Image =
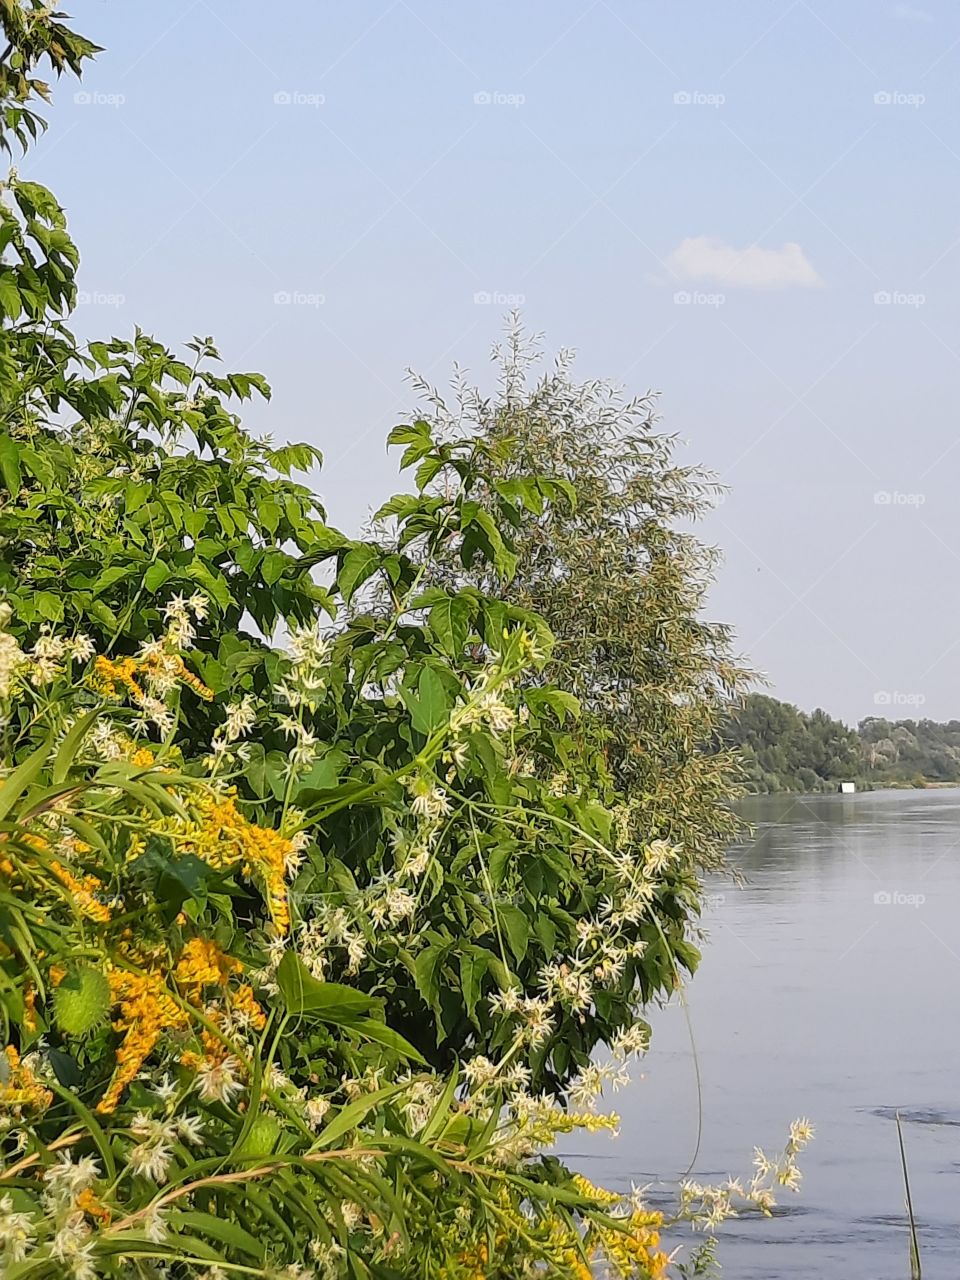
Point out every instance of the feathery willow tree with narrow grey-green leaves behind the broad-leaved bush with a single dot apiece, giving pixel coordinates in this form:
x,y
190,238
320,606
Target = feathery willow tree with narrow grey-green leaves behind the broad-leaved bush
x,y
621,580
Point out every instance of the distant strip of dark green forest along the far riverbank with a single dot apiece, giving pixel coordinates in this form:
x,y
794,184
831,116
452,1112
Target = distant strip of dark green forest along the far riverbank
x,y
785,749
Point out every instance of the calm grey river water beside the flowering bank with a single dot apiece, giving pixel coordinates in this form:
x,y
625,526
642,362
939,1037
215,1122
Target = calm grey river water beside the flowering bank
x,y
830,988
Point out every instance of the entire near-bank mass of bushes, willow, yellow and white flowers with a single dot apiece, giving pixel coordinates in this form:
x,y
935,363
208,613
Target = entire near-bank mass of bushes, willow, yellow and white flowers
x,y
333,888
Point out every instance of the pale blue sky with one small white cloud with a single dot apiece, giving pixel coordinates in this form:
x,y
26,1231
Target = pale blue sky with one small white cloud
x,y
747,205
